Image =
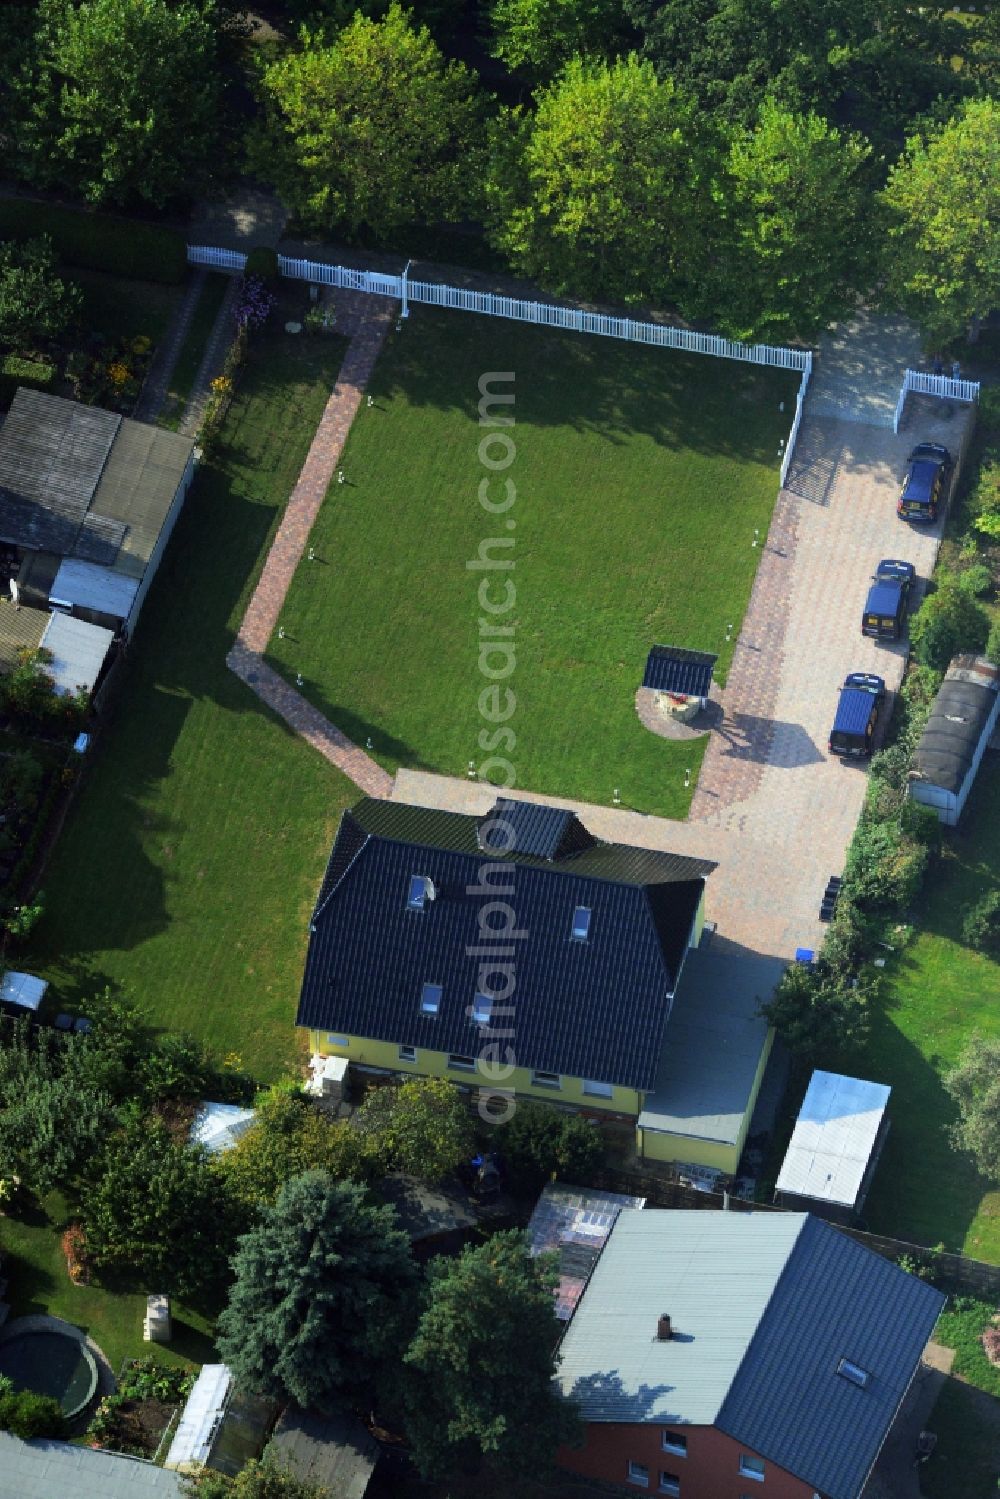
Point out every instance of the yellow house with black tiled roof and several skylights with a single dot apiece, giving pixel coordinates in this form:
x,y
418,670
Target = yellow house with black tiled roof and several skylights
x,y
515,954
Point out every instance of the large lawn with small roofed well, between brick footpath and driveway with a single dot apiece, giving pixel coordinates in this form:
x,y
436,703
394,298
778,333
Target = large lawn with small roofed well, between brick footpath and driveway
x,y
641,476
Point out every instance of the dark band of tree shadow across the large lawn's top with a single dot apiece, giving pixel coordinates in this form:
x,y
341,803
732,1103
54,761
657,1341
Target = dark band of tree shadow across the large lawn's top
x,y
606,387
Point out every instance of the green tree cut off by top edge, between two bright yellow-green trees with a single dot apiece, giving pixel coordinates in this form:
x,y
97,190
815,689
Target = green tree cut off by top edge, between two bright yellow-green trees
x,y
537,38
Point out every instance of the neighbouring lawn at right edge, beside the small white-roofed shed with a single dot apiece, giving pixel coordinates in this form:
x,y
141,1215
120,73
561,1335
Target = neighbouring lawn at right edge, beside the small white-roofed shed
x,y
941,993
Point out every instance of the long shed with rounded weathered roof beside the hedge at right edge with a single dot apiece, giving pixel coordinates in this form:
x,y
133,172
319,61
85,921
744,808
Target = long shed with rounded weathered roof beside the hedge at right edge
x,y
956,737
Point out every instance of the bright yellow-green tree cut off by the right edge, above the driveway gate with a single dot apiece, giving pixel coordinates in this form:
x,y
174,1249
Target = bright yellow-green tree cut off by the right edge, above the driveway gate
x,y
944,239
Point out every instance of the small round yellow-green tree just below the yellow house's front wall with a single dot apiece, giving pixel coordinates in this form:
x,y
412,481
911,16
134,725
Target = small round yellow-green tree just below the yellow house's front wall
x,y
422,1128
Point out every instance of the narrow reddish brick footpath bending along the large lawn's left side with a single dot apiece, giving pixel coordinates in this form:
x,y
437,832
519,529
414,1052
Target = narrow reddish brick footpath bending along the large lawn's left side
x,y
367,320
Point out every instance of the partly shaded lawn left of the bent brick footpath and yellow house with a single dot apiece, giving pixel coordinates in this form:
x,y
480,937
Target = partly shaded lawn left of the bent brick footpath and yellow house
x,y
194,852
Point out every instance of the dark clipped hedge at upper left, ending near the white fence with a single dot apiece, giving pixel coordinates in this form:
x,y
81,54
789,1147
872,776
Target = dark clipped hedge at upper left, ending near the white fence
x,y
97,242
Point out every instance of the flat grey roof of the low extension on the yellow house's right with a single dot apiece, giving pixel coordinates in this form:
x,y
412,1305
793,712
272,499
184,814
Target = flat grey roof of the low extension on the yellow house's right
x,y
716,1040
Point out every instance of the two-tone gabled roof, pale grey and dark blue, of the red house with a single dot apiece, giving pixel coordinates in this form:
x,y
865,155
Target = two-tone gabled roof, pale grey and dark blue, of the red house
x,y
764,1308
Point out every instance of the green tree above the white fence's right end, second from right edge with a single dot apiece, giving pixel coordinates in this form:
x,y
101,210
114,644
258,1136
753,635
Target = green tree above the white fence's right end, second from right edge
x,y
794,244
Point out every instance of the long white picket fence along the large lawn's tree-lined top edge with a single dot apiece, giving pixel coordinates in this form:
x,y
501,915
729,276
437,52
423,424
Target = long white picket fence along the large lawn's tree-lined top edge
x,y
518,310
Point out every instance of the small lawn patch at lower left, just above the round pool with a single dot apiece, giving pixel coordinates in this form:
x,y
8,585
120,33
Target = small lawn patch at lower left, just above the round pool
x,y
37,1270
